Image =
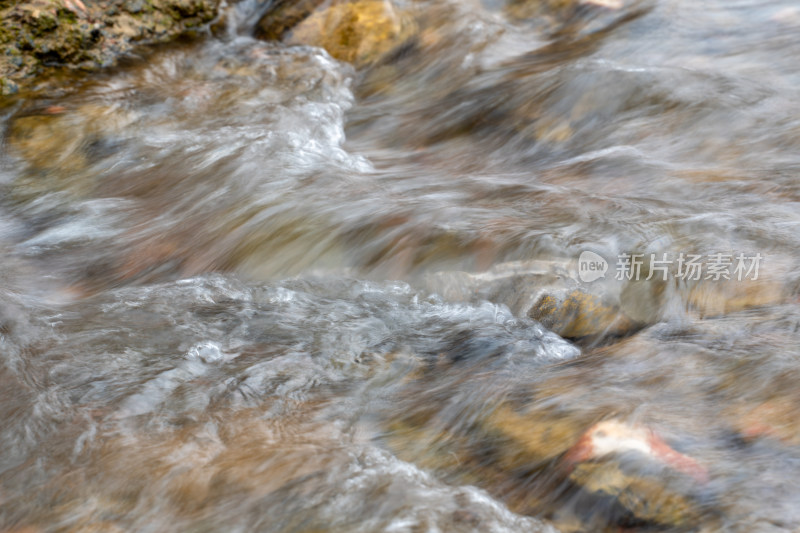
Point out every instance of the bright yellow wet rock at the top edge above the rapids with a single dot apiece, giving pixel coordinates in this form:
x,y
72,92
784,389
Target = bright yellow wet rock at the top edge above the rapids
x,y
361,33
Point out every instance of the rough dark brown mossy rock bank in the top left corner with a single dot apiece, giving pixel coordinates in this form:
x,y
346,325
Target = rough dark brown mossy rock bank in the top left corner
x,y
40,35
